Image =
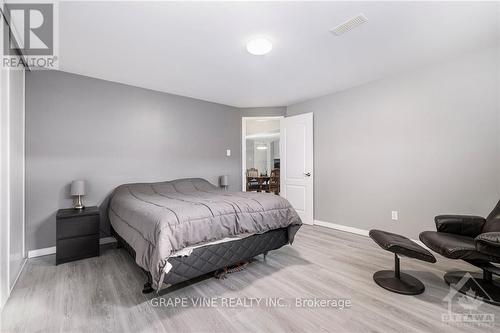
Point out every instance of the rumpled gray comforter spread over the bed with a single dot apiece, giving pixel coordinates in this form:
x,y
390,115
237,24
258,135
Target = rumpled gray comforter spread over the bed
x,y
158,219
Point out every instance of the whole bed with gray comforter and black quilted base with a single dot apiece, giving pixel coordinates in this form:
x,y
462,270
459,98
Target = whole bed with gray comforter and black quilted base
x,y
181,229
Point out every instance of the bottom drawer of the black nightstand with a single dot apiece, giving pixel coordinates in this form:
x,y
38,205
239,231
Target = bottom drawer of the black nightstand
x,y
77,248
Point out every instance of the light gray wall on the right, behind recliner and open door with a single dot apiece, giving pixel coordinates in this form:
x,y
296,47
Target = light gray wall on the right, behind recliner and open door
x,y
423,143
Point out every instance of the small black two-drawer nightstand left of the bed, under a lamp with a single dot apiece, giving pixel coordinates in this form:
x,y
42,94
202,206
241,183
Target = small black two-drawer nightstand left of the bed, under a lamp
x,y
77,233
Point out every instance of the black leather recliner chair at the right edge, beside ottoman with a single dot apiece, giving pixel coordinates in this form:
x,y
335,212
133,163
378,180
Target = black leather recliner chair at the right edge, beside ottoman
x,y
475,240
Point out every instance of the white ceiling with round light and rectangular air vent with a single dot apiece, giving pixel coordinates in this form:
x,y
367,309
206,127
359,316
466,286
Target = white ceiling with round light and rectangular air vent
x,y
198,49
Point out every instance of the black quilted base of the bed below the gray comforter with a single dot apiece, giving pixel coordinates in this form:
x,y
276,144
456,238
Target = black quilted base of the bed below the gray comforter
x,y
213,257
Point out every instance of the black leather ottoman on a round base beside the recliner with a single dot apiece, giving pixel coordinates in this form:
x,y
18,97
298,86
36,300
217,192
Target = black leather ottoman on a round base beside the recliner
x,y
396,281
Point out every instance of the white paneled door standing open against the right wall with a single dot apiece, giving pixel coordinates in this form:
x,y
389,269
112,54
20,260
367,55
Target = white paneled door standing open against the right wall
x,y
297,169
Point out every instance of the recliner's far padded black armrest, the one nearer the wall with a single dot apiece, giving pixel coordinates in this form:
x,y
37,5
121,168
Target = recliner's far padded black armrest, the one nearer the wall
x,y
460,224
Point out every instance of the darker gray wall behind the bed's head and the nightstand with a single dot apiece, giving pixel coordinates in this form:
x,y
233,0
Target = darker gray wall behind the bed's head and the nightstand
x,y
109,134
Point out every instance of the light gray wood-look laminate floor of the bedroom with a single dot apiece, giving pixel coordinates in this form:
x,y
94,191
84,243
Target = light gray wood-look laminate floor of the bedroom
x,y
104,294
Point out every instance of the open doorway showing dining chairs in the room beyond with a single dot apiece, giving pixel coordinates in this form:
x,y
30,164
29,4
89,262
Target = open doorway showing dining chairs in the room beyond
x,y
261,154
